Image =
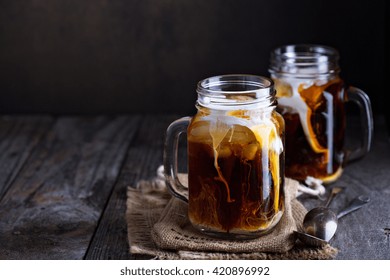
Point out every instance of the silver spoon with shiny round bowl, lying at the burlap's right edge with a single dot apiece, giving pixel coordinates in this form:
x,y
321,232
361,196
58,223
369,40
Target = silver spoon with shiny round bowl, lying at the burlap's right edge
x,y
320,224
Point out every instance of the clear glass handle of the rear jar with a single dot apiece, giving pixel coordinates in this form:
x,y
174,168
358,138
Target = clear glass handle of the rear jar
x,y
360,98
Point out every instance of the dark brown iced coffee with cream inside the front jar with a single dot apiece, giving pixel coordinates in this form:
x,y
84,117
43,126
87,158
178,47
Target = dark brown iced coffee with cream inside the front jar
x,y
234,179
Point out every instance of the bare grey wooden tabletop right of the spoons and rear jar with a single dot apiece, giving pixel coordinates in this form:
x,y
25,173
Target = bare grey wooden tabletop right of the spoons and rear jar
x,y
365,234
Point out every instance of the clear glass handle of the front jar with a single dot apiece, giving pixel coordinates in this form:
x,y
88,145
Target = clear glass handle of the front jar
x,y
173,132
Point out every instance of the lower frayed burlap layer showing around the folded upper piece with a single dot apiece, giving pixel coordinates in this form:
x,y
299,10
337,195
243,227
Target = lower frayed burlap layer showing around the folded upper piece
x,y
147,201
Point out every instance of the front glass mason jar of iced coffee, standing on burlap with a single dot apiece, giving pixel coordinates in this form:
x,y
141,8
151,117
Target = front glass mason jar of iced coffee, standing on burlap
x,y
235,157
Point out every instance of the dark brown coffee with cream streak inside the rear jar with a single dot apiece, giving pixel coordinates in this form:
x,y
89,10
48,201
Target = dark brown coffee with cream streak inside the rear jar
x,y
314,138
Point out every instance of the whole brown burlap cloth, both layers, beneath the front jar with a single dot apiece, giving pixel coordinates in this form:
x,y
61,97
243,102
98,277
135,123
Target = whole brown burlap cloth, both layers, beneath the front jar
x,y
158,226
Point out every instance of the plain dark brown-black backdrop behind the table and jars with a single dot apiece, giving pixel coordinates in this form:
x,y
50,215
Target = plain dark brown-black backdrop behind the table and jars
x,y
137,56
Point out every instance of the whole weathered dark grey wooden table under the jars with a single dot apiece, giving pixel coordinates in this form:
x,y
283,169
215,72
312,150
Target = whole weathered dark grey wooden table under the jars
x,y
63,184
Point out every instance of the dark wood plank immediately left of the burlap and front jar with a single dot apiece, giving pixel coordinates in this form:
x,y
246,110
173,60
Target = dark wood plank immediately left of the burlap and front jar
x,y
143,158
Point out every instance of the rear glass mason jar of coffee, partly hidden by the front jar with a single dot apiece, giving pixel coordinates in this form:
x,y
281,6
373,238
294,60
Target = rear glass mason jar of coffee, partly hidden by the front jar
x,y
312,97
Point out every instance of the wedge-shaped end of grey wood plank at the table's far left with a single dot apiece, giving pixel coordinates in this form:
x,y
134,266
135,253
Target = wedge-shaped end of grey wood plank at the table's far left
x,y
18,137
